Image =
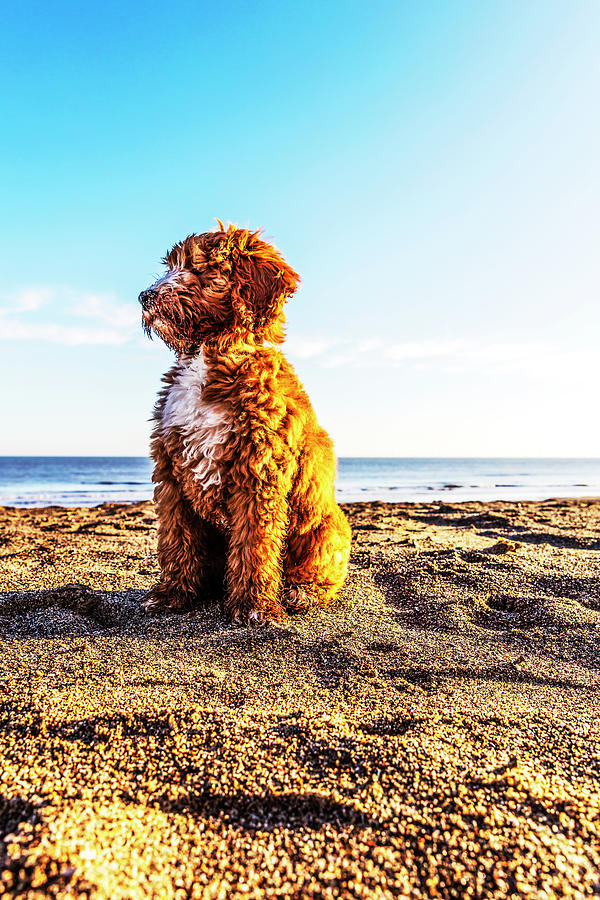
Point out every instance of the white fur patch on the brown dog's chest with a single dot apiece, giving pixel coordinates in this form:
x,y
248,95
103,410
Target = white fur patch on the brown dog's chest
x,y
204,427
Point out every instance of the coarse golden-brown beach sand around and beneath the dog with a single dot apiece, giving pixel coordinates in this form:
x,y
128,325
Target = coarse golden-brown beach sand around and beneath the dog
x,y
434,734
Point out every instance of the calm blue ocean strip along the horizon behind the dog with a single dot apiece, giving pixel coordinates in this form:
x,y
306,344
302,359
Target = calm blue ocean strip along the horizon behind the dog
x,y
85,481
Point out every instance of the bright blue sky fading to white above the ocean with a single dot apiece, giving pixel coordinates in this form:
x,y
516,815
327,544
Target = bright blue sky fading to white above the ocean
x,y
430,169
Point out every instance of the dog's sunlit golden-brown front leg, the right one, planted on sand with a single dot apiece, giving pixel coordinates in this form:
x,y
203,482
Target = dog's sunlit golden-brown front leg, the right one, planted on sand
x,y
258,515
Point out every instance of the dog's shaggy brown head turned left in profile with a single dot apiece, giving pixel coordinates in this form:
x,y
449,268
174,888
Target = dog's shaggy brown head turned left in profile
x,y
219,284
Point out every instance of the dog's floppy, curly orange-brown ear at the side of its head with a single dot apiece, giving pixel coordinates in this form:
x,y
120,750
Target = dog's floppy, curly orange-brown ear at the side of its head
x,y
262,282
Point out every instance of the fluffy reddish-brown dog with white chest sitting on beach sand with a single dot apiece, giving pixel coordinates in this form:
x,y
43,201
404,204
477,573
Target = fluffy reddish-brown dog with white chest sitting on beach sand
x,y
244,474
